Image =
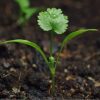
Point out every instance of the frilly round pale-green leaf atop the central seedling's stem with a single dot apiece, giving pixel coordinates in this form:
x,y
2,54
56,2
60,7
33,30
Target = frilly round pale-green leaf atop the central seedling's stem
x,y
53,20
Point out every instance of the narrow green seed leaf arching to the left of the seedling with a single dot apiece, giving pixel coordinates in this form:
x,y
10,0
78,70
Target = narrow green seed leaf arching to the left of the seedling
x,y
28,43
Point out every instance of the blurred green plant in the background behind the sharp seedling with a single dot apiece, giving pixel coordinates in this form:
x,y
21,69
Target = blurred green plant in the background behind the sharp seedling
x,y
26,11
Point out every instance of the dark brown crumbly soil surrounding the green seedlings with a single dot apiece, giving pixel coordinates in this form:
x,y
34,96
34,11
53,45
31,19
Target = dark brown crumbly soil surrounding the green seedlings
x,y
23,72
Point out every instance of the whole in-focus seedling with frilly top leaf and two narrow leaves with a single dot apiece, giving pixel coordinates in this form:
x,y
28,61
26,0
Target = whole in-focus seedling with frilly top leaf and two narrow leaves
x,y
54,21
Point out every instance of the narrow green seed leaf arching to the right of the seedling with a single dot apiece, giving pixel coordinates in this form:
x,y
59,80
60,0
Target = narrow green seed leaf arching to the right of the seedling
x,y
75,34
